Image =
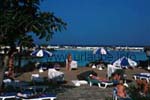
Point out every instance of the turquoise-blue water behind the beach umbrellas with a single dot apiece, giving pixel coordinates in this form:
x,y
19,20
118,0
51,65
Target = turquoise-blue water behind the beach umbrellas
x,y
83,57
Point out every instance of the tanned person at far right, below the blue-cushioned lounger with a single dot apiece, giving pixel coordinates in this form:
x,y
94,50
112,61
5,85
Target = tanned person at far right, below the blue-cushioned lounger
x,y
142,86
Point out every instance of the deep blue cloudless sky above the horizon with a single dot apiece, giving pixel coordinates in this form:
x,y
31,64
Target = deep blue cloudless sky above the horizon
x,y
101,22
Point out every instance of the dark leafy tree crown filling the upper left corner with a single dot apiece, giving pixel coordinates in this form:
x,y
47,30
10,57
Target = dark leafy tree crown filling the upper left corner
x,y
19,17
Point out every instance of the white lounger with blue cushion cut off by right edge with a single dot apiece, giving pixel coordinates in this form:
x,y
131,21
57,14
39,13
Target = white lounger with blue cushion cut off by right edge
x,y
145,76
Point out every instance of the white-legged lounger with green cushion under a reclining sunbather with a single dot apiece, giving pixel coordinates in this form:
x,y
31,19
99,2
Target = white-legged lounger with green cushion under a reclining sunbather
x,y
101,84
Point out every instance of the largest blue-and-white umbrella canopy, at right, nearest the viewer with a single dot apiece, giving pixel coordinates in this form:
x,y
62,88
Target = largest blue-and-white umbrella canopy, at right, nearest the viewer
x,y
125,62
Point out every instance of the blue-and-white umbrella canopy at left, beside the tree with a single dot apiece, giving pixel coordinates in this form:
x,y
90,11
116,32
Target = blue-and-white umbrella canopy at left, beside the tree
x,y
41,53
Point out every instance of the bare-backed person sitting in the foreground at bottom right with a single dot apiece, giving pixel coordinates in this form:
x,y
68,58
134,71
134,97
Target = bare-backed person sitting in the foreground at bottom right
x,y
121,91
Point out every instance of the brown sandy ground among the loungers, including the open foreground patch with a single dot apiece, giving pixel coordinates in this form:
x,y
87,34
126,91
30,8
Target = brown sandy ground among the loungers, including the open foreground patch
x,y
68,91
